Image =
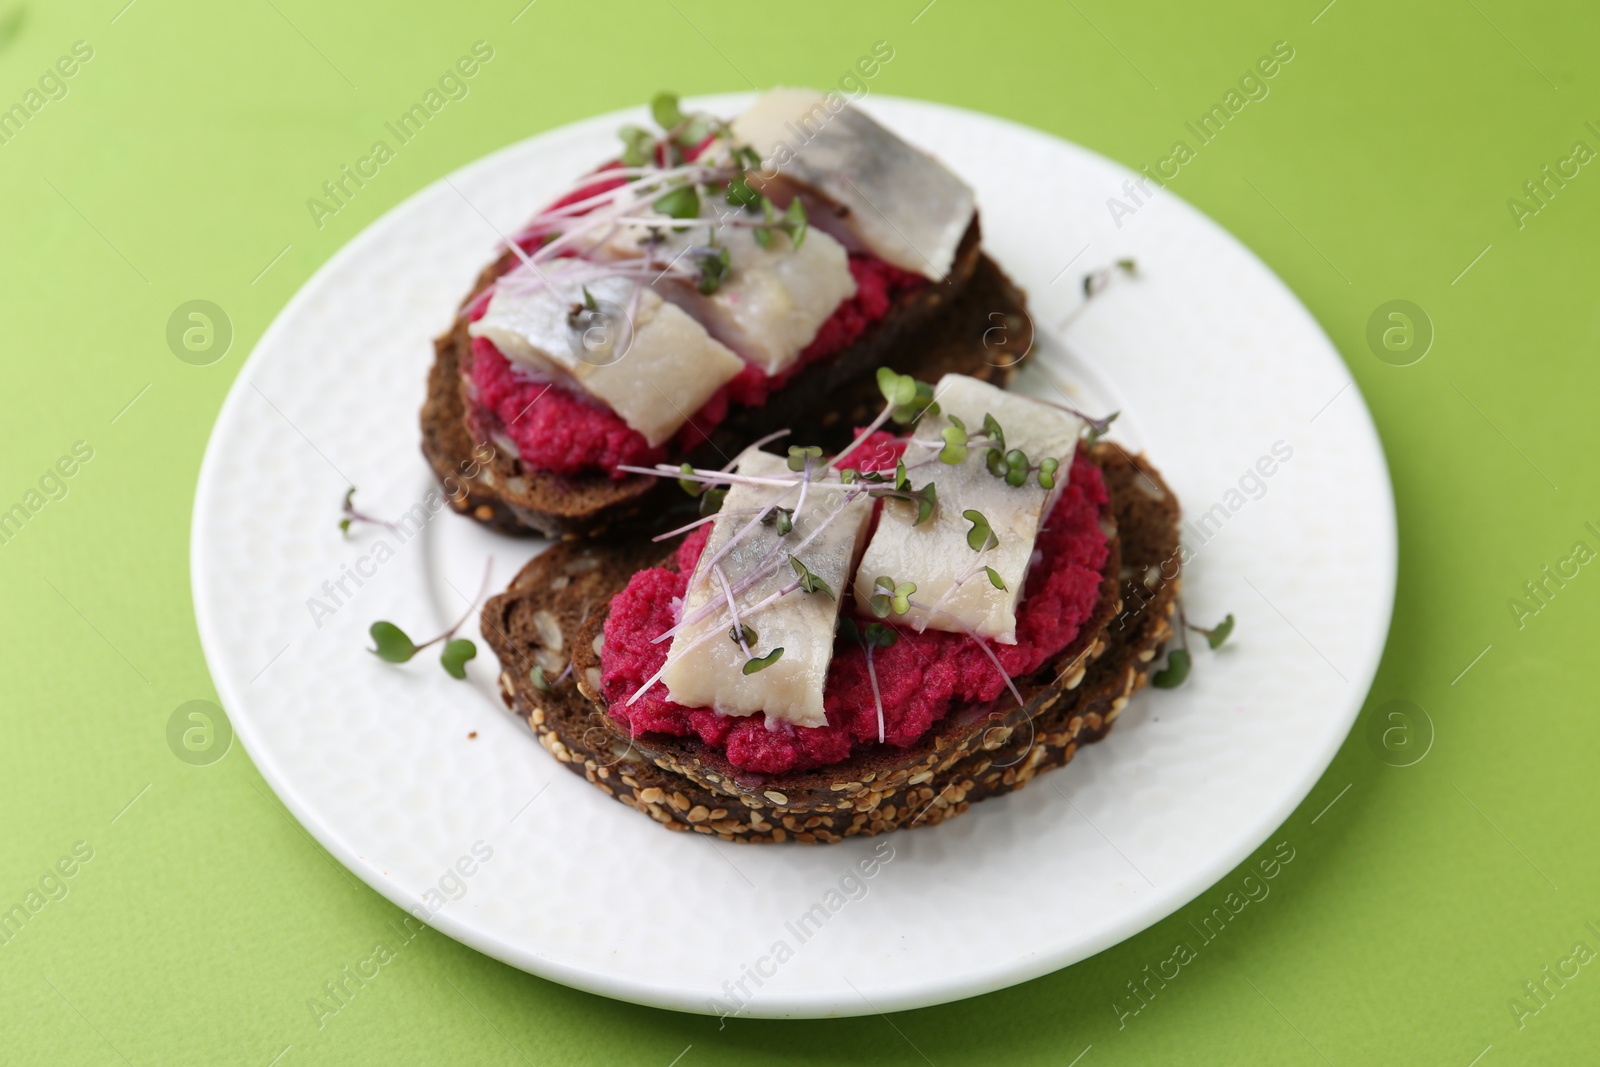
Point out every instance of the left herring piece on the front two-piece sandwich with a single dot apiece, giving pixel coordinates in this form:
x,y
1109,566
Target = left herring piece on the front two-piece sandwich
x,y
804,625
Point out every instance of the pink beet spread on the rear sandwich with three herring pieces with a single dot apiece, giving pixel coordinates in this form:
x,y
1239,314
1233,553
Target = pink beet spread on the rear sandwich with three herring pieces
x,y
569,434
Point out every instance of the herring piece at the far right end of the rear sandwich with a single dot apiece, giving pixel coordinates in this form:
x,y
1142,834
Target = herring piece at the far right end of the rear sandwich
x,y
905,206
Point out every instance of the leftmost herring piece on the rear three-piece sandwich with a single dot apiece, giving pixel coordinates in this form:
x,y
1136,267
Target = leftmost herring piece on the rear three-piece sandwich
x,y
662,380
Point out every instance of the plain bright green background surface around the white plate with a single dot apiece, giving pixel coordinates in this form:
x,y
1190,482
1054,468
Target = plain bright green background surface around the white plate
x,y
178,169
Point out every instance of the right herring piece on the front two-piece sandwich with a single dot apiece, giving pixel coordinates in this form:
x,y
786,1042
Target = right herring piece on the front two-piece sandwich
x,y
935,556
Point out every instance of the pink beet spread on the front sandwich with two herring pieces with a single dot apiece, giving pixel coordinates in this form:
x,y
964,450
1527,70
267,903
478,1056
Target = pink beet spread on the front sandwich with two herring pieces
x,y
921,677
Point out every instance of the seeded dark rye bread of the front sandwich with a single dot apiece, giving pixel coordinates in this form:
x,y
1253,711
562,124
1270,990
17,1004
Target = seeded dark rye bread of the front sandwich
x,y
556,607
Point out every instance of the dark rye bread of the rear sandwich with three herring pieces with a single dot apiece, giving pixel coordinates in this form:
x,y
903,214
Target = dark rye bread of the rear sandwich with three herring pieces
x,y
946,327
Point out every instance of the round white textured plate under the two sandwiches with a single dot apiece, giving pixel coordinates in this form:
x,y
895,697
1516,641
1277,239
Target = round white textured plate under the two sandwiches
x,y
1212,361
